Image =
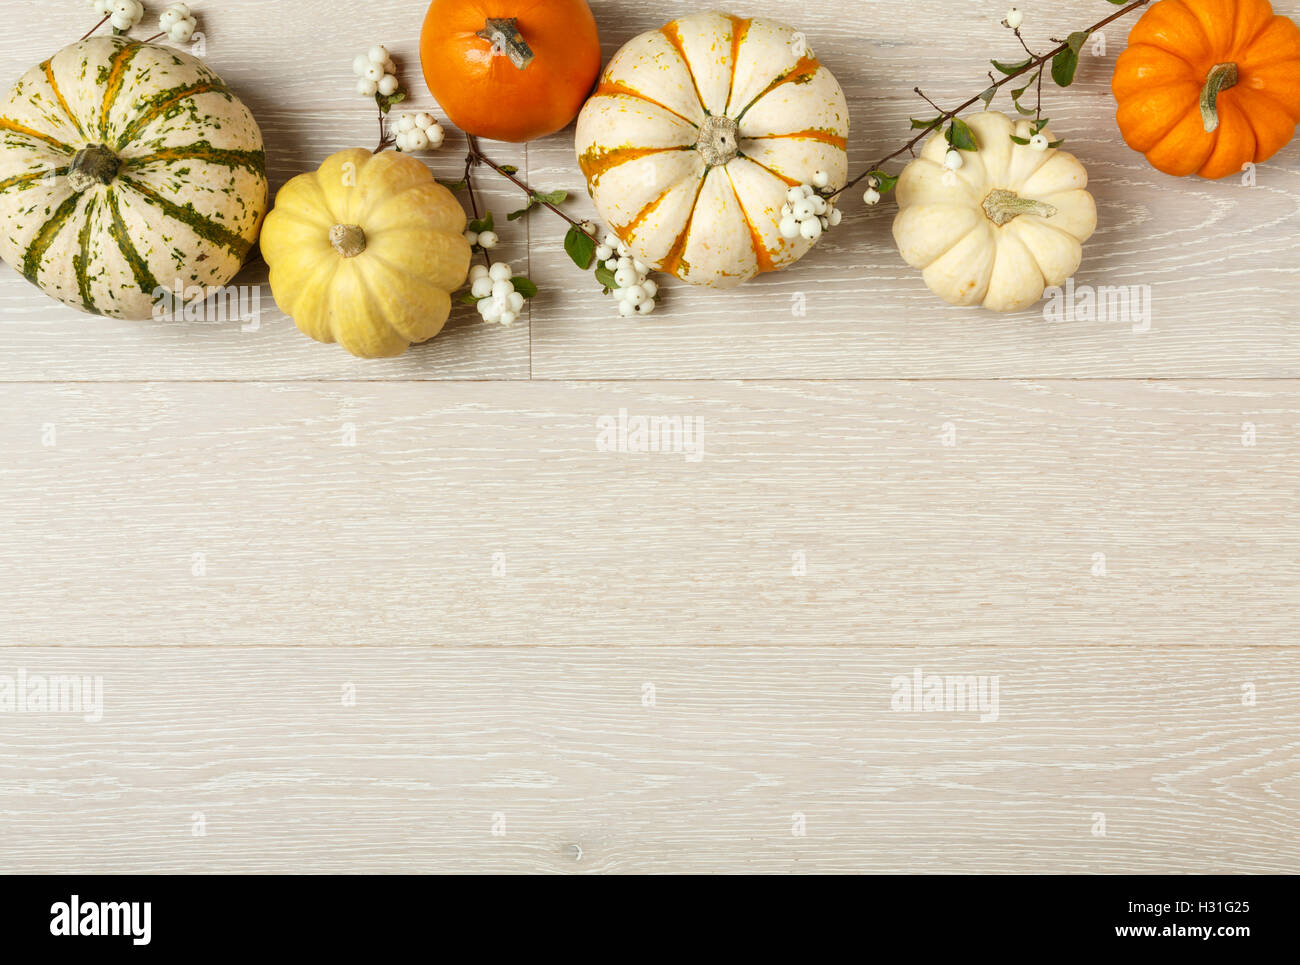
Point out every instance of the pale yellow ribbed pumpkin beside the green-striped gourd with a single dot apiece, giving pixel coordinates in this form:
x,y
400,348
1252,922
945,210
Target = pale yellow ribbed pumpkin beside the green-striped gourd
x,y
366,252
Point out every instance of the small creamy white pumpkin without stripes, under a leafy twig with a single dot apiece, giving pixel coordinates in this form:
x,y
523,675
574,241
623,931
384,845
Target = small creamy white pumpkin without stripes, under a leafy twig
x,y
1000,230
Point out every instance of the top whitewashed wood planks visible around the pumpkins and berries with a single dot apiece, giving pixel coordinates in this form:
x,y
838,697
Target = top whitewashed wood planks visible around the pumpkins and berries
x,y
1223,259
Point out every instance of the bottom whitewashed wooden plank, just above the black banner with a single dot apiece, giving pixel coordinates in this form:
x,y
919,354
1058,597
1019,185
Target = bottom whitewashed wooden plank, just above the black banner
x,y
561,752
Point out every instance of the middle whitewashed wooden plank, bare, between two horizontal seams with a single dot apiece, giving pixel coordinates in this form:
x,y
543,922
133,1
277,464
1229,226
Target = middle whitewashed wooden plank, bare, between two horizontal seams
x,y
393,540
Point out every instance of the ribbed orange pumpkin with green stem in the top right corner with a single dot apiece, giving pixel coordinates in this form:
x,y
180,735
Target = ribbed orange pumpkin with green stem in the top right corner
x,y
1207,86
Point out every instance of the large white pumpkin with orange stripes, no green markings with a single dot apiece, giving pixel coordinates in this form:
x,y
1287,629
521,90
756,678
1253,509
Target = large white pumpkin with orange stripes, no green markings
x,y
695,136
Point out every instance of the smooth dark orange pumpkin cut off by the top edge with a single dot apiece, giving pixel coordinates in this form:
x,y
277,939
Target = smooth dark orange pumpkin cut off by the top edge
x,y
510,70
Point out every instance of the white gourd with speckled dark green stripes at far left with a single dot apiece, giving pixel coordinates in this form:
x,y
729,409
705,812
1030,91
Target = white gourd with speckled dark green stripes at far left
x,y
125,170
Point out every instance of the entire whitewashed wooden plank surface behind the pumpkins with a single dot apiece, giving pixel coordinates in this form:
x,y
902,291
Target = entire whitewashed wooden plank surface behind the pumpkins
x,y
239,530
